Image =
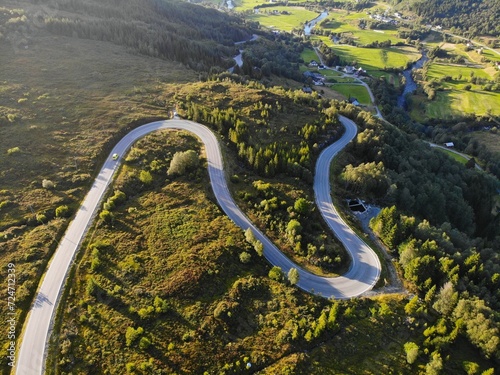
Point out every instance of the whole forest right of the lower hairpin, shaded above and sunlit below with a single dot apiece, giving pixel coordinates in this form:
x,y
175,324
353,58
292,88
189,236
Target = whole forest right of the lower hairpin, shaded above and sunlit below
x,y
441,223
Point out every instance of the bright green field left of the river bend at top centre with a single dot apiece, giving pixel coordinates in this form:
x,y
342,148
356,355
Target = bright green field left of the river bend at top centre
x,y
286,22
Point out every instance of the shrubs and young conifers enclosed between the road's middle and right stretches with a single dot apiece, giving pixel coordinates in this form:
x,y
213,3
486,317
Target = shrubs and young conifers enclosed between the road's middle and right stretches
x,y
275,135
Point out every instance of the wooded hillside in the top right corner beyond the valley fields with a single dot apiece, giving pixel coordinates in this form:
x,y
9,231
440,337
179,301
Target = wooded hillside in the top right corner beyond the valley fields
x,y
469,17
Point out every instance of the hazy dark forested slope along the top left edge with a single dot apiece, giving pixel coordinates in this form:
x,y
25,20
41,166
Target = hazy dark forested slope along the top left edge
x,y
198,37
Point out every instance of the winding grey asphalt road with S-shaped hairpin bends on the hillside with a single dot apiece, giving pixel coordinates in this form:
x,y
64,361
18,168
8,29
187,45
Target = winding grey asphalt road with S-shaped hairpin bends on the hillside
x,y
361,277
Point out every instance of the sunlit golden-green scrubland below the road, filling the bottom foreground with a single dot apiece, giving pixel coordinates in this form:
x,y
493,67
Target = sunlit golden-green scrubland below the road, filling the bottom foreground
x,y
172,273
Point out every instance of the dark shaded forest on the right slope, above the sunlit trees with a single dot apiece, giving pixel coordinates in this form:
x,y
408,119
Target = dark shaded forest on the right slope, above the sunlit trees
x,y
421,181
